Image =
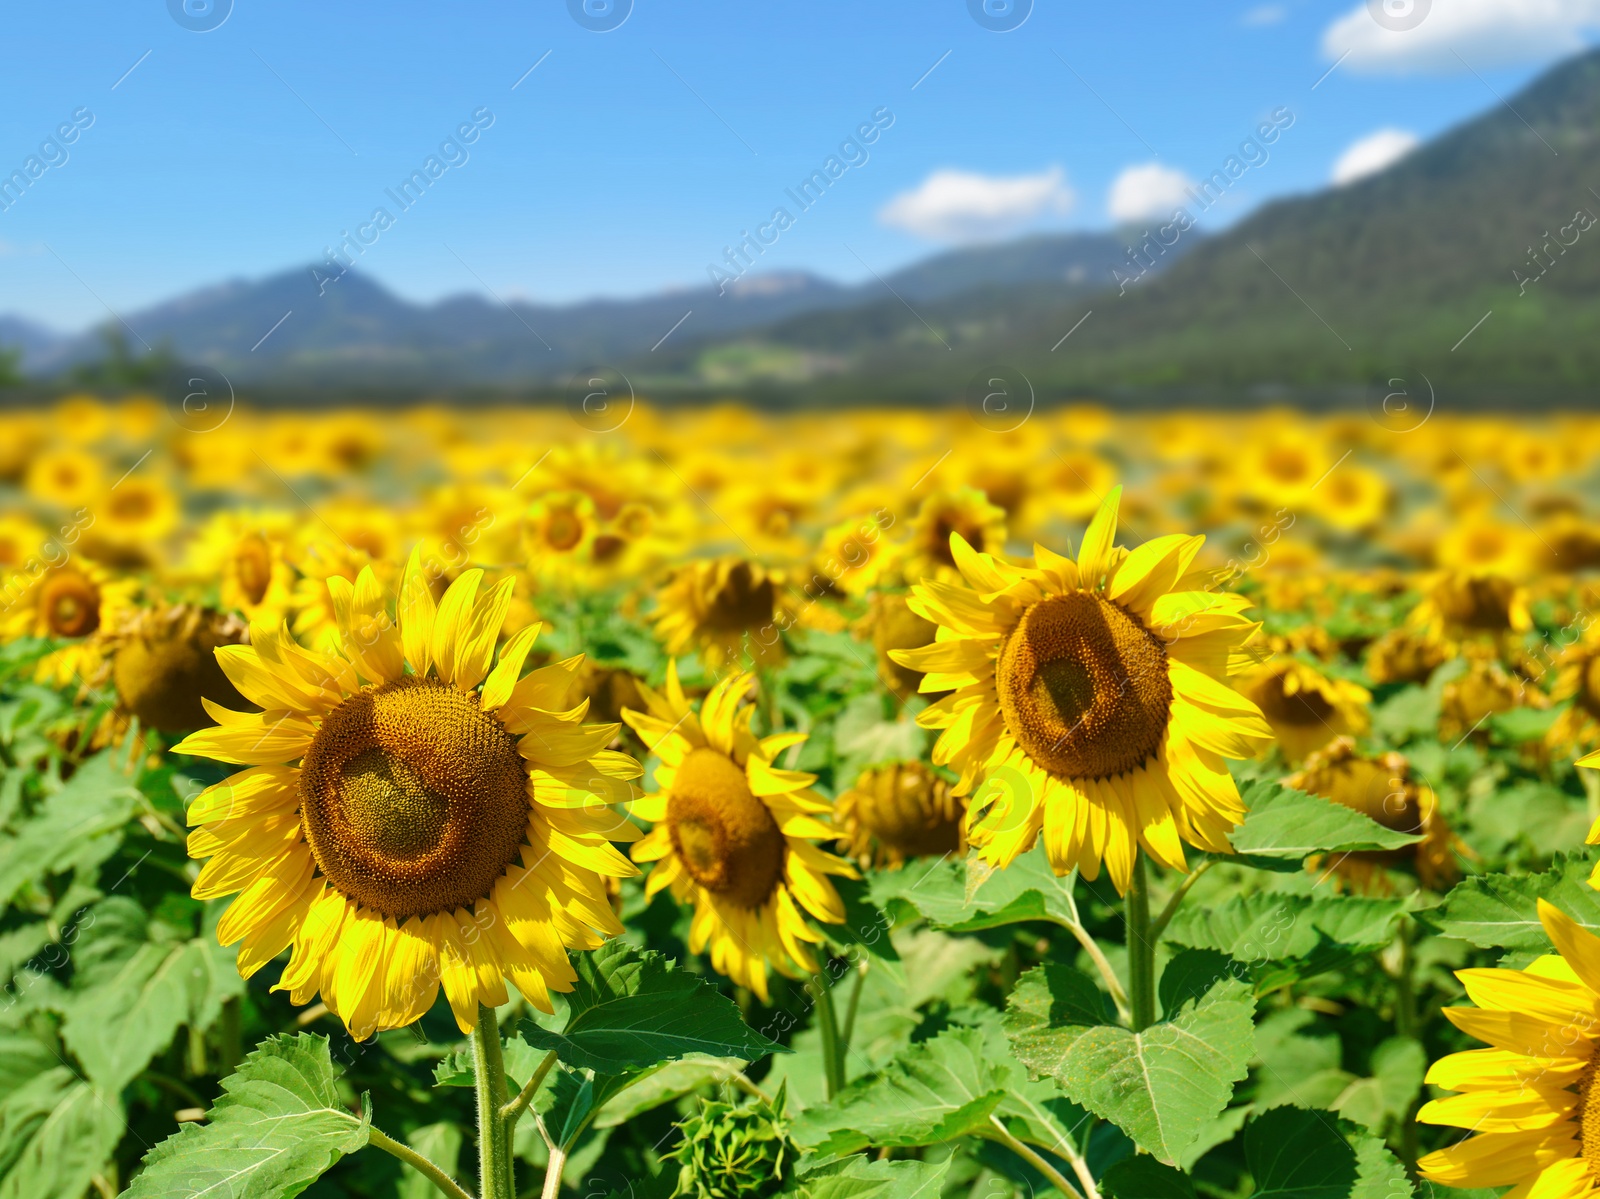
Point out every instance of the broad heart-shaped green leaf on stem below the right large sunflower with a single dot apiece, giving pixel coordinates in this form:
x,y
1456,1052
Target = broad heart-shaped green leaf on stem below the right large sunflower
x,y
1159,1086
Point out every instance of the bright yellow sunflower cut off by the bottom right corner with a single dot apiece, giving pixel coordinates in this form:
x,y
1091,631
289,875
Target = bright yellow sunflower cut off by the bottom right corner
x,y
1530,1097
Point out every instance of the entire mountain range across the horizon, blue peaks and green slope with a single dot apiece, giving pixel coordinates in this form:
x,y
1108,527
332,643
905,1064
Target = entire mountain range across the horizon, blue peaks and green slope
x,y
1473,263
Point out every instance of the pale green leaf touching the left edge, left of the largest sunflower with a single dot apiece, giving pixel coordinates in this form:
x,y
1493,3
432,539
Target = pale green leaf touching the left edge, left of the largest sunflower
x,y
86,817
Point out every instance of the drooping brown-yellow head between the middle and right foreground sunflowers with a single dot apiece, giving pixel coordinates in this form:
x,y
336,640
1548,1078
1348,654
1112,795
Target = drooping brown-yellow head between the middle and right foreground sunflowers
x,y
897,812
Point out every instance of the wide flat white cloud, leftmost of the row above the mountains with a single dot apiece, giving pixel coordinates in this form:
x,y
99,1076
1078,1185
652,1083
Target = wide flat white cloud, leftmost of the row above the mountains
x,y
967,207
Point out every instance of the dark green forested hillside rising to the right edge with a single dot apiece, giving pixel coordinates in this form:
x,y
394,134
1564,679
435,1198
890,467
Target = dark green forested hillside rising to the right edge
x,y
1385,278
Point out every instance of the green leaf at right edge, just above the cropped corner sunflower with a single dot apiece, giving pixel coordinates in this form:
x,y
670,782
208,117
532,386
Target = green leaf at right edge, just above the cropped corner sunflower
x,y
1502,910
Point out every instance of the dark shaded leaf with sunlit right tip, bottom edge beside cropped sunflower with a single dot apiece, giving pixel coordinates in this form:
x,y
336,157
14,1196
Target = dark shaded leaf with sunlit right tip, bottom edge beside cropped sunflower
x,y
1305,1155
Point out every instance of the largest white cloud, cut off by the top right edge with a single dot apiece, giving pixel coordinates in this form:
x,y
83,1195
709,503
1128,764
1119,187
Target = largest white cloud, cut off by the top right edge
x,y
1441,36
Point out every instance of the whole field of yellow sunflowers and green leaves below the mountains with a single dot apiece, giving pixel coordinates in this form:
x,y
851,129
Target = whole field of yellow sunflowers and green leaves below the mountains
x,y
727,804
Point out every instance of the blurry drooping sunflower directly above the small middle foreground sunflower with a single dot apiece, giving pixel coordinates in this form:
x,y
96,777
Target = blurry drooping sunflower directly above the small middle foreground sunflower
x,y
724,608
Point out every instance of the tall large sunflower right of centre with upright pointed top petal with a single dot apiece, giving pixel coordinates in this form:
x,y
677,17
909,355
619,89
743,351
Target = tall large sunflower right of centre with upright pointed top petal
x,y
1095,697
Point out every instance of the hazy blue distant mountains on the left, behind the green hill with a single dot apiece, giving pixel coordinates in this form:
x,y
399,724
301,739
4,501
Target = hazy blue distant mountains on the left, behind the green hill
x,y
292,329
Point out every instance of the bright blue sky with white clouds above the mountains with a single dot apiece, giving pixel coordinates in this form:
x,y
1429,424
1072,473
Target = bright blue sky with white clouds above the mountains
x,y
626,161
